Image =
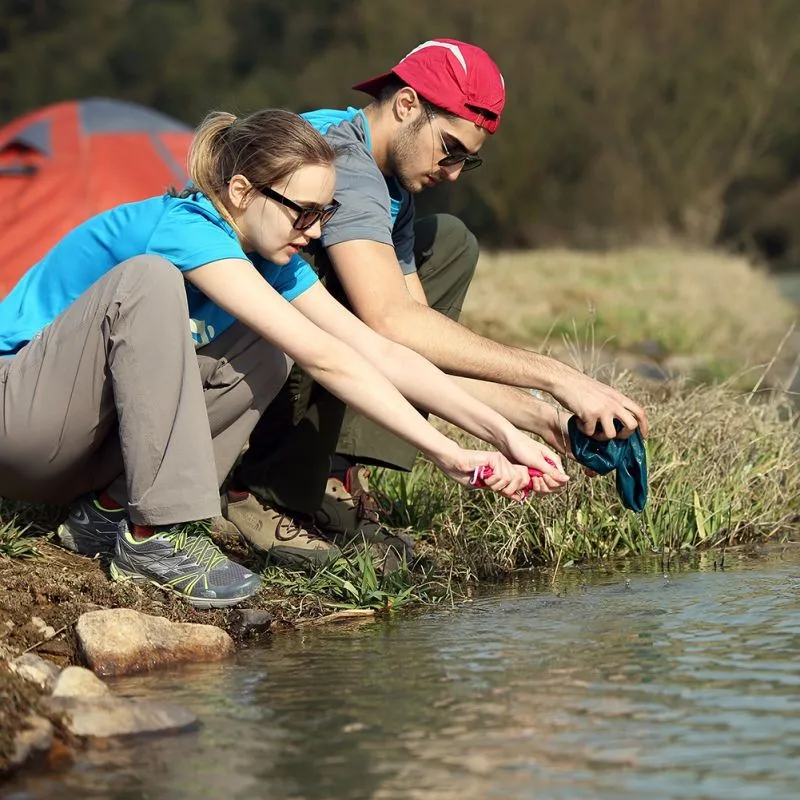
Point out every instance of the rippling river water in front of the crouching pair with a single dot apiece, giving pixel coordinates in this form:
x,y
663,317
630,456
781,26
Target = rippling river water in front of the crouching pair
x,y
626,684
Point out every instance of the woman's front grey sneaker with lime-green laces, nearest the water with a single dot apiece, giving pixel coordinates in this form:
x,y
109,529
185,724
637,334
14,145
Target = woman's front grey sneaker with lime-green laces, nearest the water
x,y
182,559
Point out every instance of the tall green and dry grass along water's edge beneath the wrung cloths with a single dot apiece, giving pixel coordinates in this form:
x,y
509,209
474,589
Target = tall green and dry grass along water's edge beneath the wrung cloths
x,y
723,471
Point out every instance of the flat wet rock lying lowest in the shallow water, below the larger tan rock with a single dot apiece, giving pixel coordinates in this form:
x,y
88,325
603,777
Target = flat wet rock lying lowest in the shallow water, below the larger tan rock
x,y
116,716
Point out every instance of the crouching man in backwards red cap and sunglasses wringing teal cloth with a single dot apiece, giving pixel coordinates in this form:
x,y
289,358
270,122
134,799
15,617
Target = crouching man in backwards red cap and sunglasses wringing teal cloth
x,y
301,494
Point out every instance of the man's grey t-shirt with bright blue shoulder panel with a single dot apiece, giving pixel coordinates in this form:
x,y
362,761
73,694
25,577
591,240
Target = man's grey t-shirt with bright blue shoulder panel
x,y
374,207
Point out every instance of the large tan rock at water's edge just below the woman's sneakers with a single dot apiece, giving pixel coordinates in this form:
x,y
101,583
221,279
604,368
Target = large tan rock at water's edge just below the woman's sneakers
x,y
120,640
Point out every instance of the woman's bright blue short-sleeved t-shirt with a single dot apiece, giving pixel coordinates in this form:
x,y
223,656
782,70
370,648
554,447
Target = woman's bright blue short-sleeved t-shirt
x,y
188,232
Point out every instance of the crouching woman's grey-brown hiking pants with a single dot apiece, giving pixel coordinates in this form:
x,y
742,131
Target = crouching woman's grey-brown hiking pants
x,y
112,395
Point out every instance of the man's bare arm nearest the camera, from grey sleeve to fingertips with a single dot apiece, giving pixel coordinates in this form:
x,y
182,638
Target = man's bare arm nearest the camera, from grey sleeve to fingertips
x,y
378,293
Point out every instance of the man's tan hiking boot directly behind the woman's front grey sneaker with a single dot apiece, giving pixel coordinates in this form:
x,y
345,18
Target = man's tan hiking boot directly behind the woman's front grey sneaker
x,y
278,535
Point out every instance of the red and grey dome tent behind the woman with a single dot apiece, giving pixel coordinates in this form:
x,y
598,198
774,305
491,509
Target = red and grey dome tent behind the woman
x,y
64,163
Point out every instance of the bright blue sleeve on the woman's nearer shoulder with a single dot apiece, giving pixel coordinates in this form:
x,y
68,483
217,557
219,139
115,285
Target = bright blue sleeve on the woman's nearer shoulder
x,y
189,239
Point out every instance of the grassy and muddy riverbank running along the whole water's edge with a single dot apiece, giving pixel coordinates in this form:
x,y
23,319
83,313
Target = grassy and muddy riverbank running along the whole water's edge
x,y
723,472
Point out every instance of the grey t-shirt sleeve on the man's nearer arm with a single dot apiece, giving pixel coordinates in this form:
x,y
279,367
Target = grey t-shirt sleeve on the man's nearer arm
x,y
365,211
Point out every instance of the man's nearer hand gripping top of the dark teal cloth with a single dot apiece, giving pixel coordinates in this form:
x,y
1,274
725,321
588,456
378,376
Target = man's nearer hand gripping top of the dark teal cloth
x,y
598,405
